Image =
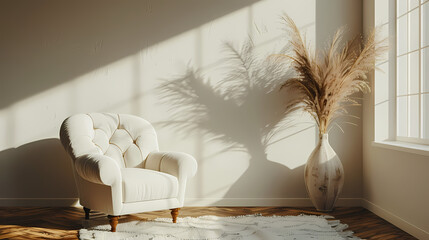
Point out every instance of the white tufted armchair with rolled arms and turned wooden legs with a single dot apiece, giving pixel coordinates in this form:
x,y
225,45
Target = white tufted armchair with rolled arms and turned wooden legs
x,y
119,169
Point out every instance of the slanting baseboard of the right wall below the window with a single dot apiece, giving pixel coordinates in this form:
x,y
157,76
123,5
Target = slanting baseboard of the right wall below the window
x,y
395,220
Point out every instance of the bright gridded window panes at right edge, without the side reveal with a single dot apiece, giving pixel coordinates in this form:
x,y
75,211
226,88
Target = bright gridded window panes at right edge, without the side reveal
x,y
412,78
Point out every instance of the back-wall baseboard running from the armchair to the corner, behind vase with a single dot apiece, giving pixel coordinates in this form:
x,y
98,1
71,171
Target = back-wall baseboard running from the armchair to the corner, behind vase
x,y
269,202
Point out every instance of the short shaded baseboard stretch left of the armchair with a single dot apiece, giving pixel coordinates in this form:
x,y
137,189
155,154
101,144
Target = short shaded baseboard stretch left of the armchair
x,y
38,202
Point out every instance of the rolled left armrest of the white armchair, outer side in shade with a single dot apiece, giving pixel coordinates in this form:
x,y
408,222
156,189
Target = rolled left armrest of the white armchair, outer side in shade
x,y
98,168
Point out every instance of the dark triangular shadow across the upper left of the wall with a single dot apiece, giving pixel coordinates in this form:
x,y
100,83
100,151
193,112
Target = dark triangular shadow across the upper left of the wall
x,y
46,43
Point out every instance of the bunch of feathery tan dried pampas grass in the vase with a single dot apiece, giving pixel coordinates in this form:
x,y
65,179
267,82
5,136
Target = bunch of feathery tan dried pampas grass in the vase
x,y
325,83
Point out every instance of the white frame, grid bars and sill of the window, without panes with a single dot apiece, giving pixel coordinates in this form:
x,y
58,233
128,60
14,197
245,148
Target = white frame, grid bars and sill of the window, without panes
x,y
390,137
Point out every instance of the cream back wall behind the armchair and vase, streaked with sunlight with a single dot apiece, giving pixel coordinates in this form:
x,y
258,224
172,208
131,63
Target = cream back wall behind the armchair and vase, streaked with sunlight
x,y
59,58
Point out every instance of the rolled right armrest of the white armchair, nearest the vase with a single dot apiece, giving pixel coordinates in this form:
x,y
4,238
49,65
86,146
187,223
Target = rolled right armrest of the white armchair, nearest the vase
x,y
178,164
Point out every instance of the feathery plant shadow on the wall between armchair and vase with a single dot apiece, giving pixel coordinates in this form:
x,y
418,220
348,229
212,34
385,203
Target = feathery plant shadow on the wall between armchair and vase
x,y
243,111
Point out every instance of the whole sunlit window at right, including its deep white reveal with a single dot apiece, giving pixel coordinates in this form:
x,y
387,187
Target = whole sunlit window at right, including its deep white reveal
x,y
401,91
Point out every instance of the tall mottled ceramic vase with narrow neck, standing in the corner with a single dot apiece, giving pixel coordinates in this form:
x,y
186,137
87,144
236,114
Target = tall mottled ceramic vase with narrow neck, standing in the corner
x,y
324,176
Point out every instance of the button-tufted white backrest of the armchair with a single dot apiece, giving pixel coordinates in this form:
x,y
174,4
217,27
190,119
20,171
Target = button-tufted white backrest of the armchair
x,y
126,138
